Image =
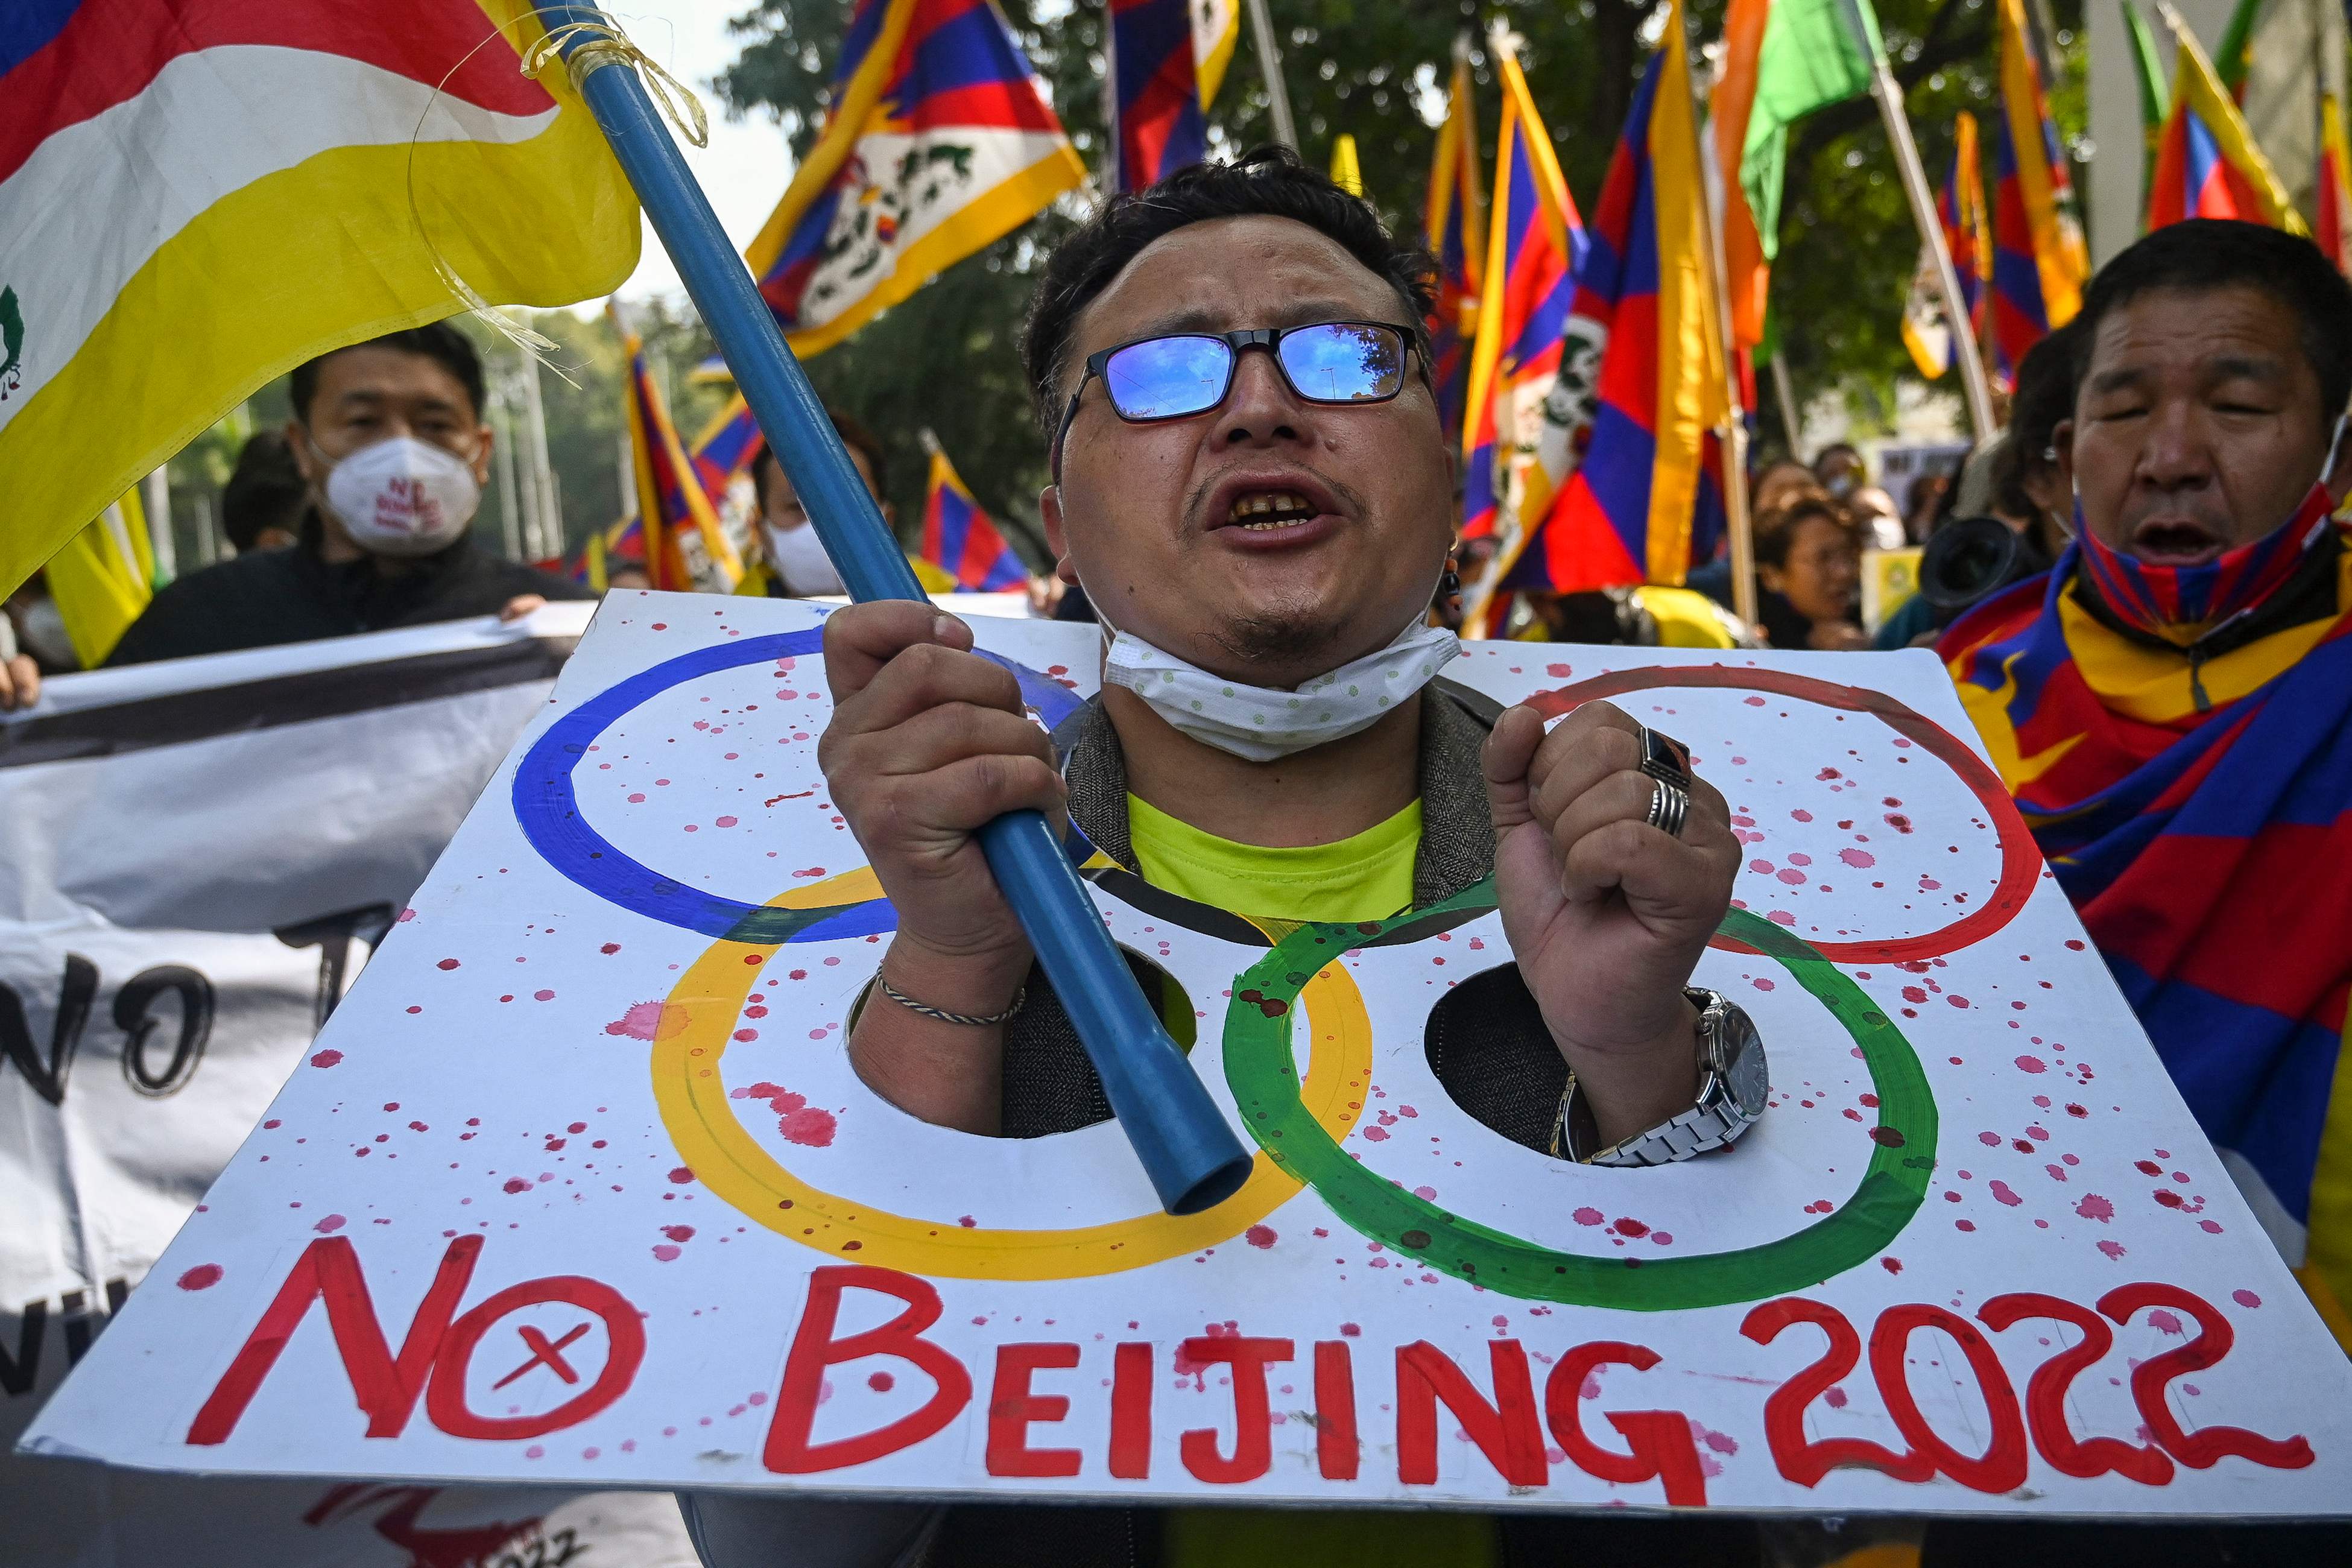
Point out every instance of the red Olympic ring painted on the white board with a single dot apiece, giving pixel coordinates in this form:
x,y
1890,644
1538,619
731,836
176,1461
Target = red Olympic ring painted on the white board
x,y
2022,859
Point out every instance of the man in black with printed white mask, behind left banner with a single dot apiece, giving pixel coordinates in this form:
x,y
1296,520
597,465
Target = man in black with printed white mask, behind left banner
x,y
392,443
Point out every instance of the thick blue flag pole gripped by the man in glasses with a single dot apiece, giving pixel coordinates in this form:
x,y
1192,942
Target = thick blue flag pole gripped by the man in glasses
x,y
1187,1148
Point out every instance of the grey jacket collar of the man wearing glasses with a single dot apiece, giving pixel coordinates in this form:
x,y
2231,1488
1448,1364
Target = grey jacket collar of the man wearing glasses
x,y
1457,833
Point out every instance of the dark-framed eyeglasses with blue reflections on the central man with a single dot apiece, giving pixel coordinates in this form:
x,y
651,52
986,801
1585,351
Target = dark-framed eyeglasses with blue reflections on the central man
x,y
1191,373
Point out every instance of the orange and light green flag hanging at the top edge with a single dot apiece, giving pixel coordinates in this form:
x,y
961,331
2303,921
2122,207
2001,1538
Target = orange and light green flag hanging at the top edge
x,y
1782,62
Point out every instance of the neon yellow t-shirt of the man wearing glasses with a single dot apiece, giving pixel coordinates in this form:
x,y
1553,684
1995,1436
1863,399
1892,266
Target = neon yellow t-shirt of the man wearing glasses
x,y
1368,876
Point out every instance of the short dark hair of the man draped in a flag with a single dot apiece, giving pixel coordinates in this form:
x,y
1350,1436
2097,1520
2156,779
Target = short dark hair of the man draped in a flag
x,y
2224,255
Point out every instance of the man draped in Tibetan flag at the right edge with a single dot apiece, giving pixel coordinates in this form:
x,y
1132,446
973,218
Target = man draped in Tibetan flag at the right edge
x,y
2172,706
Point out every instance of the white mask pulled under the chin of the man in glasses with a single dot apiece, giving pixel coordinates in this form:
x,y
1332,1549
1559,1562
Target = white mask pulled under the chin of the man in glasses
x,y
1262,723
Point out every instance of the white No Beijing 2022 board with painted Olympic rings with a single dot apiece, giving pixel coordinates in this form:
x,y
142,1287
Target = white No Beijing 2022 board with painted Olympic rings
x,y
580,1186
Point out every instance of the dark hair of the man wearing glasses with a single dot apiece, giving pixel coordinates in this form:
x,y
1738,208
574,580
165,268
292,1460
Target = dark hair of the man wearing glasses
x,y
1262,185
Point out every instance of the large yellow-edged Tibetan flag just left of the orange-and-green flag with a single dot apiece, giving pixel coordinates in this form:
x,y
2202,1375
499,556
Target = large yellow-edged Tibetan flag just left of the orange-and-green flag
x,y
1645,500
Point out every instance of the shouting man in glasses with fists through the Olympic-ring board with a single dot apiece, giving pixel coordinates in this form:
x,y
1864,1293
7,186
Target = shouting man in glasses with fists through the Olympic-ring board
x,y
1255,490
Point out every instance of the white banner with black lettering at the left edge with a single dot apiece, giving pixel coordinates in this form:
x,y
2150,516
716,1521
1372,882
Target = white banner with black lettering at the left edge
x,y
194,862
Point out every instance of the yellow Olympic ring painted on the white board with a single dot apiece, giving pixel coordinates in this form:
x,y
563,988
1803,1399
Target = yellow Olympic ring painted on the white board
x,y
730,1162
